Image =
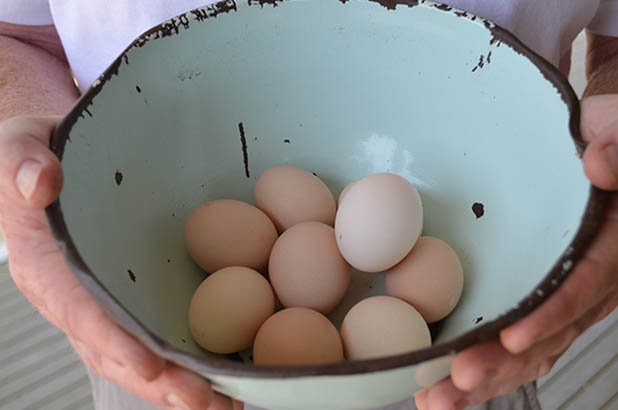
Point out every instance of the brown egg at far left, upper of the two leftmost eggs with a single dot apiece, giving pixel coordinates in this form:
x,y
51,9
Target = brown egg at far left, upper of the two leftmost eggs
x,y
227,232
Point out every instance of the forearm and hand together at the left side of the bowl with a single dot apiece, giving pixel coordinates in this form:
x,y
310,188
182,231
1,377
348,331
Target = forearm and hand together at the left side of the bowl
x,y
34,80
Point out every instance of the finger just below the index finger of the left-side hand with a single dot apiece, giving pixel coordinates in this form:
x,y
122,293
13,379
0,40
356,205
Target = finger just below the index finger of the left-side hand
x,y
175,388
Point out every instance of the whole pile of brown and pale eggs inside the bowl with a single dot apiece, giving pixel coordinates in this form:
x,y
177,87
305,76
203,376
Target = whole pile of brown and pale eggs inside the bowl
x,y
306,245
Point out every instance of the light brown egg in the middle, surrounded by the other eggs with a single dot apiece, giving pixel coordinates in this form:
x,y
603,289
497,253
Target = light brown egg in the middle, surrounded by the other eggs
x,y
306,268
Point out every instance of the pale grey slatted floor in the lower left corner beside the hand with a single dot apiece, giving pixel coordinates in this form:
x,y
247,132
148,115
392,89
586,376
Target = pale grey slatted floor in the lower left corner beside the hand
x,y
38,367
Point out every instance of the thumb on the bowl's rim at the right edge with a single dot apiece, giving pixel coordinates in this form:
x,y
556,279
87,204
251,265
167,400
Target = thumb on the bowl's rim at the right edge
x,y
601,159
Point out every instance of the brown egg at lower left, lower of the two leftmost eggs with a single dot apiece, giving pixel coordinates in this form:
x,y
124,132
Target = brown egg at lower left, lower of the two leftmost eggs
x,y
228,308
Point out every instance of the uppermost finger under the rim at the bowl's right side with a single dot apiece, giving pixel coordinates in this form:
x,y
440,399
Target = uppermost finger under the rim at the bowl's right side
x,y
590,282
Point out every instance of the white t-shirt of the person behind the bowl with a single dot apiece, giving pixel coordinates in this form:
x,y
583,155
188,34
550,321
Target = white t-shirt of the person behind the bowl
x,y
95,32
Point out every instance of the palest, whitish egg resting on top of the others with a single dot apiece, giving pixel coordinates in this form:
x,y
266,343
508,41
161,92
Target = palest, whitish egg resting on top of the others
x,y
379,219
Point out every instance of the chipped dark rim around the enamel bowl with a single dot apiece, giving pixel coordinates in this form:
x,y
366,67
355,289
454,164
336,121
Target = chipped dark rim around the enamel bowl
x,y
591,220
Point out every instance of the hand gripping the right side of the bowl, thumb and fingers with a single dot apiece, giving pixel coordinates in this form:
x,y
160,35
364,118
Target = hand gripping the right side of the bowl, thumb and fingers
x,y
529,348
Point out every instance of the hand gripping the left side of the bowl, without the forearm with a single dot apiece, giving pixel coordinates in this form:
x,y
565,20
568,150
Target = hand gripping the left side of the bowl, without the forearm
x,y
30,179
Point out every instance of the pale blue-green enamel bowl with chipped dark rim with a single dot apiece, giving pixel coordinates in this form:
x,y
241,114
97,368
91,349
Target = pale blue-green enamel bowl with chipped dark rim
x,y
196,108
